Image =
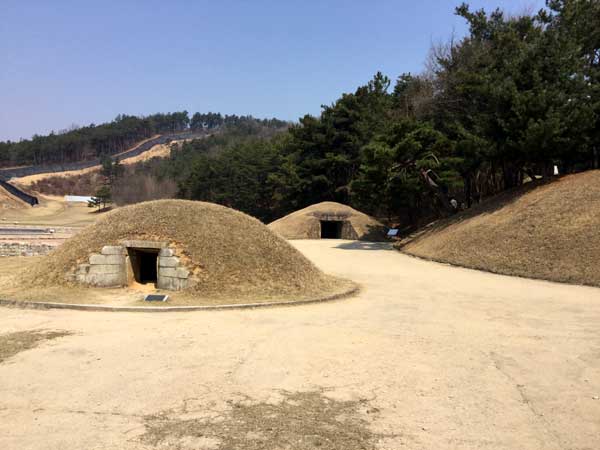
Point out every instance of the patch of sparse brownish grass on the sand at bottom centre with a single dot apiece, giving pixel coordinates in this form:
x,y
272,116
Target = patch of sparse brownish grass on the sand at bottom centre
x,y
302,421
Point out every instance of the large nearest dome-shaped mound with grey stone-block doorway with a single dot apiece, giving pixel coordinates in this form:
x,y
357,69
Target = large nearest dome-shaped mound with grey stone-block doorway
x,y
226,253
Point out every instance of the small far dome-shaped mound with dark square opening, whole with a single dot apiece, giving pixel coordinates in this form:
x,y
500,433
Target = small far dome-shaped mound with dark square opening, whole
x,y
329,220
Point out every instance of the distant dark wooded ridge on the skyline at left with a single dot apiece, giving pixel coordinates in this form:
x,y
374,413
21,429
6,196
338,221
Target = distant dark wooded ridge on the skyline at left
x,y
96,141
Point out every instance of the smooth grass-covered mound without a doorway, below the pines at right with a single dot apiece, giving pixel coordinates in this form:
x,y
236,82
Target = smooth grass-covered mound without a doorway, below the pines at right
x,y
550,232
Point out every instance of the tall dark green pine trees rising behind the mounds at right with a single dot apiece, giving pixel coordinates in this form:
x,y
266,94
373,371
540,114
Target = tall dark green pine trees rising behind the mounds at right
x,y
516,97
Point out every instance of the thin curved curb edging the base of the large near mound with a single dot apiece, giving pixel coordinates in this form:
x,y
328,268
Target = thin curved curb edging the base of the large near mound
x,y
106,308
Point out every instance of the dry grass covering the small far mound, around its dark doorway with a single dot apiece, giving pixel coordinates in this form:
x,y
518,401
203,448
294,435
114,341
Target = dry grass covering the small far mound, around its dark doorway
x,y
305,223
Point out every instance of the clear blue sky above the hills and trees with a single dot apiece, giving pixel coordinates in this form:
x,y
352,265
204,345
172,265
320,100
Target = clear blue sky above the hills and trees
x,y
78,62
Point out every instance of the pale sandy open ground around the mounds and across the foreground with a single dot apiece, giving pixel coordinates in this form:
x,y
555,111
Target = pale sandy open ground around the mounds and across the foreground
x,y
445,358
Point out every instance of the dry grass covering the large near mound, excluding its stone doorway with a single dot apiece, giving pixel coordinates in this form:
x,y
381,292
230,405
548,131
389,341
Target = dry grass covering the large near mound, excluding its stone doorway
x,y
232,255
